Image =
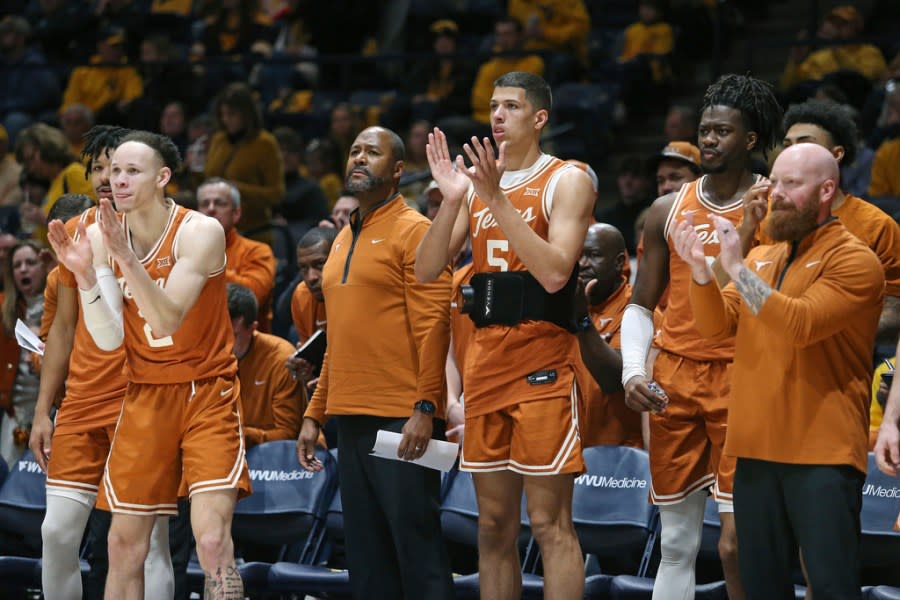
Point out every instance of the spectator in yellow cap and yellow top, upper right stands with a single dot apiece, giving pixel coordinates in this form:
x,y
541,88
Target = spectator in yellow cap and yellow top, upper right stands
x,y
840,26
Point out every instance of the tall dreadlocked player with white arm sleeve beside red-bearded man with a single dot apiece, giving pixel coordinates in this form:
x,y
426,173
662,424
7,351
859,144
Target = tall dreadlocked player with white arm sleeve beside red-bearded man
x,y
687,394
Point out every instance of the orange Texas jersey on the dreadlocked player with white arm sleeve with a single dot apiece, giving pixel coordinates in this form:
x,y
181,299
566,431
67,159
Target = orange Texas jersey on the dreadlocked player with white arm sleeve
x,y
678,334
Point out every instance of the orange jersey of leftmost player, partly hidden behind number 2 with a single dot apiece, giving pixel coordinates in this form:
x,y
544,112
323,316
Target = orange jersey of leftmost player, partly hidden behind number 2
x,y
96,382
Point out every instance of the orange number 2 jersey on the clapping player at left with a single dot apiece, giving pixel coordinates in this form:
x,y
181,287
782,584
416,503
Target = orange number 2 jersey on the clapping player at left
x,y
202,346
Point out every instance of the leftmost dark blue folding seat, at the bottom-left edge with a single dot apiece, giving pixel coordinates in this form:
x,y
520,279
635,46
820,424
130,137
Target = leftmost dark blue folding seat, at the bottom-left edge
x,y
23,501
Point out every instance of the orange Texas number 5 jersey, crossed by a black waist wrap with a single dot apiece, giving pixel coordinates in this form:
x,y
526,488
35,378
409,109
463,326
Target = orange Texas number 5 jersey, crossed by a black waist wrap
x,y
500,358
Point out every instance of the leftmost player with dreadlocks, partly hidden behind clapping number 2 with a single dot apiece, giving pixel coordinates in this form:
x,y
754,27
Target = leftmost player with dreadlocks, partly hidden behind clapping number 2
x,y
84,426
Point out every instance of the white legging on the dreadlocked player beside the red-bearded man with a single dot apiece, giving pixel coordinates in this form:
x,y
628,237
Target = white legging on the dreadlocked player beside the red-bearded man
x,y
682,526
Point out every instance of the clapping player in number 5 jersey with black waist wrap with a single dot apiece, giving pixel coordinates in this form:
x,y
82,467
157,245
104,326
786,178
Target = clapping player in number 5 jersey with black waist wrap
x,y
526,213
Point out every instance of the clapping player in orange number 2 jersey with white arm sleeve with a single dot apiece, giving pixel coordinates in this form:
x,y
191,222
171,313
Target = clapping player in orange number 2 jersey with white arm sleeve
x,y
166,303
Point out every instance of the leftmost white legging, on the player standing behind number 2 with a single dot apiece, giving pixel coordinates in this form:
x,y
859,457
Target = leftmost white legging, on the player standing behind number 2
x,y
61,532
